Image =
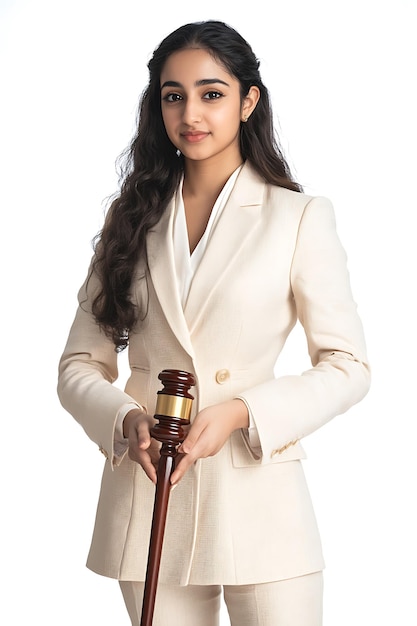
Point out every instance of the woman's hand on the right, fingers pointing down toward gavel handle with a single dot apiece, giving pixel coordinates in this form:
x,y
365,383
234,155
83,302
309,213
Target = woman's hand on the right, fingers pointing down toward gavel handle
x,y
209,432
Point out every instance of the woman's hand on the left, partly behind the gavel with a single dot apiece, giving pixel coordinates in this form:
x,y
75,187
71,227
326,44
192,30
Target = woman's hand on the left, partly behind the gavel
x,y
143,449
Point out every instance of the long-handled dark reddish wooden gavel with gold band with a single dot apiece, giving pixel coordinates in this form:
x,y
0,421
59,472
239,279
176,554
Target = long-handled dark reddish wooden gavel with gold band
x,y
173,410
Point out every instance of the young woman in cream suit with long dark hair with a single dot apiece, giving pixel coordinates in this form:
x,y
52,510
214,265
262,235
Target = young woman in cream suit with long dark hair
x,y
208,256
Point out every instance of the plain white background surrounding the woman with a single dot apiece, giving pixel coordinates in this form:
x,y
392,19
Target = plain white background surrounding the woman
x,y
342,79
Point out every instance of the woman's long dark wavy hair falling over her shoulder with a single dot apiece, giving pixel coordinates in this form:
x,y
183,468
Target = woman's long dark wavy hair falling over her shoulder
x,y
151,170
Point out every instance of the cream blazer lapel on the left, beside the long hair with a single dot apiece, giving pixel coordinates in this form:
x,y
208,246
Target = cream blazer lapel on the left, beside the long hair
x,y
163,274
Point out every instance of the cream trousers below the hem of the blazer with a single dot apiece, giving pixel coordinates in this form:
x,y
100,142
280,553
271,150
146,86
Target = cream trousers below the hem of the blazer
x,y
291,602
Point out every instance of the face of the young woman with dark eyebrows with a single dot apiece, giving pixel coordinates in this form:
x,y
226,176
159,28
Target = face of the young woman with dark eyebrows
x,y
201,106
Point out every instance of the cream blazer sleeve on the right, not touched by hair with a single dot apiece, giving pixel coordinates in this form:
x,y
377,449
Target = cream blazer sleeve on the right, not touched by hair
x,y
291,407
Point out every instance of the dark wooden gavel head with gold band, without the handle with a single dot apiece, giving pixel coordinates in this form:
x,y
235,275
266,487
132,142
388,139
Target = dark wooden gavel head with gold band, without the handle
x,y
173,408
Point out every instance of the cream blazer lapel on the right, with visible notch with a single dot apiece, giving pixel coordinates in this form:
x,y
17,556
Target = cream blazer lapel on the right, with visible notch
x,y
229,234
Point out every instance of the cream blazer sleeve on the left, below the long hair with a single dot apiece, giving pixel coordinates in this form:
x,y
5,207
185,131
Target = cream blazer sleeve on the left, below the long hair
x,y
87,371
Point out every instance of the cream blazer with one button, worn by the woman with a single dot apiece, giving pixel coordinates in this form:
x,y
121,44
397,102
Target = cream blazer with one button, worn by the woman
x,y
245,514
